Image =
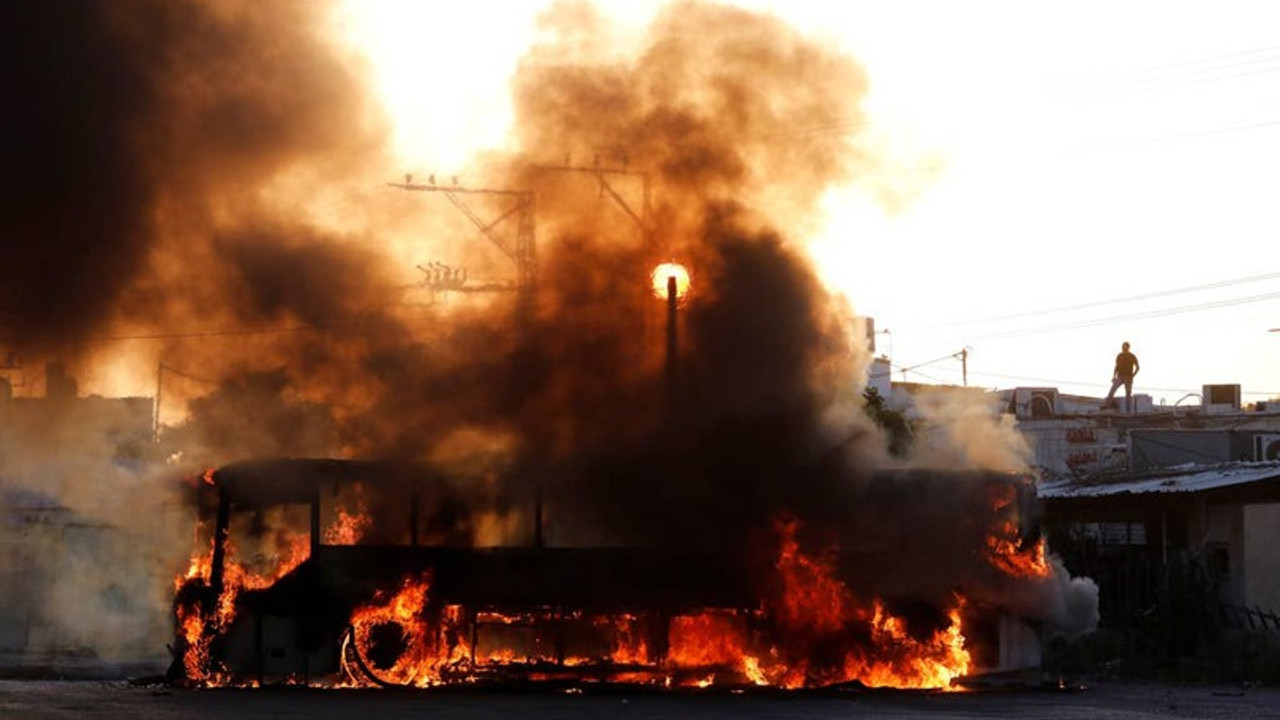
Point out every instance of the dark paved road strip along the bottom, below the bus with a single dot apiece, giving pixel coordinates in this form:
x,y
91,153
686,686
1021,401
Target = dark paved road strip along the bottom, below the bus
x,y
30,700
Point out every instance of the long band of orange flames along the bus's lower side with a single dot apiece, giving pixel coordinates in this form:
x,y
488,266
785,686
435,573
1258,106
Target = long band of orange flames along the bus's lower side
x,y
403,641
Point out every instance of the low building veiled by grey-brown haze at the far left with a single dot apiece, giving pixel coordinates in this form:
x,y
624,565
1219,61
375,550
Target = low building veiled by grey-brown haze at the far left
x,y
70,590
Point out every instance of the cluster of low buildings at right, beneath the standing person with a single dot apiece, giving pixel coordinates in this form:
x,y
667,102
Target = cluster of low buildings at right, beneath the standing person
x,y
1144,500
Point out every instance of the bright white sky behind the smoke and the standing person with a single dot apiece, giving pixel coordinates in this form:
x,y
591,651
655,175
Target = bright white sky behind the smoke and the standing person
x,y
1117,160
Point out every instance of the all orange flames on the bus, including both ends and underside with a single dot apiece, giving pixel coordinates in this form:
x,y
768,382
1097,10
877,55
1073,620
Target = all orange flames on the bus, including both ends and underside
x,y
810,631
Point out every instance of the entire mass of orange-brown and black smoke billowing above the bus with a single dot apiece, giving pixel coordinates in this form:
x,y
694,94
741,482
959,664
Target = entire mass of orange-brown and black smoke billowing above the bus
x,y
164,165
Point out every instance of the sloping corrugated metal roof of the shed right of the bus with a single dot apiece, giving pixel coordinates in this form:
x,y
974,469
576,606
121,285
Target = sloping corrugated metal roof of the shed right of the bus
x,y
1186,479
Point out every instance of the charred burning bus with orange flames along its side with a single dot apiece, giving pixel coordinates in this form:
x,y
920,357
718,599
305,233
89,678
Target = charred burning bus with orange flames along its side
x,y
367,573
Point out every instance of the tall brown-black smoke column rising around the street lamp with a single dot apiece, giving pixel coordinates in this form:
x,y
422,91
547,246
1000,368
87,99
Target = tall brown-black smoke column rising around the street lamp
x,y
710,110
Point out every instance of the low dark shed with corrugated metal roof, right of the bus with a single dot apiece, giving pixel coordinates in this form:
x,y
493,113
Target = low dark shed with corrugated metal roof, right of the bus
x,y
1214,527
